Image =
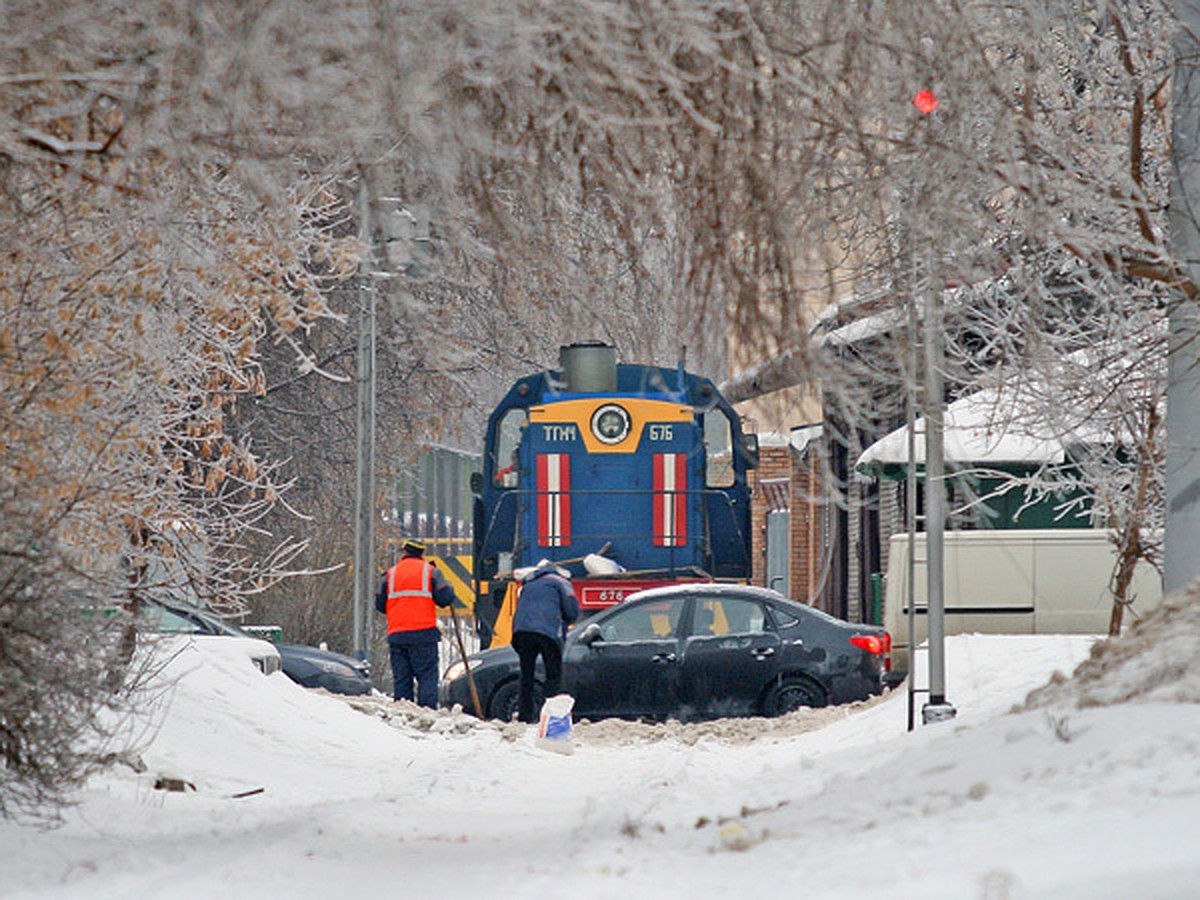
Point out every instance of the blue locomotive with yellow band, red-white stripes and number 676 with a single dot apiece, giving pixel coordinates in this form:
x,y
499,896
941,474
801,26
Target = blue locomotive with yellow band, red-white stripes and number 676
x,y
628,476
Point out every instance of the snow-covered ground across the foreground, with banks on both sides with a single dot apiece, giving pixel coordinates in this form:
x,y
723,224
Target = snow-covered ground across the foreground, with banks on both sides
x,y
1091,791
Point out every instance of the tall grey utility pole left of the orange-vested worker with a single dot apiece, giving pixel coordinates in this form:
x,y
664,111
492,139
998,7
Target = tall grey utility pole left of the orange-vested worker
x,y
364,490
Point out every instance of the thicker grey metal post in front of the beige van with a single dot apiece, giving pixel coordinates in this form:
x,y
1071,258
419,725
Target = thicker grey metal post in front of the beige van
x,y
937,710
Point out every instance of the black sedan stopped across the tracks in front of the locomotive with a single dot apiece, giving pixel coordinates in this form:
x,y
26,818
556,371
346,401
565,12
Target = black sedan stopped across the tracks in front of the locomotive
x,y
694,652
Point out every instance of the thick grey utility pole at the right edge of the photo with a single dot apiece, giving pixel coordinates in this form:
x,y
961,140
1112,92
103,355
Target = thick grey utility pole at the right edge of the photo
x,y
1181,563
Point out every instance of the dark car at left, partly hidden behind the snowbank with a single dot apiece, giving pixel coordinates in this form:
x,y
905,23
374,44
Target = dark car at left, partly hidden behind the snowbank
x,y
308,667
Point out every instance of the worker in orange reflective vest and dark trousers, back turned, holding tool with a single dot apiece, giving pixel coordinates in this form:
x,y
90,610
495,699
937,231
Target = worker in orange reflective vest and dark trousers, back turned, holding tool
x,y
407,597
